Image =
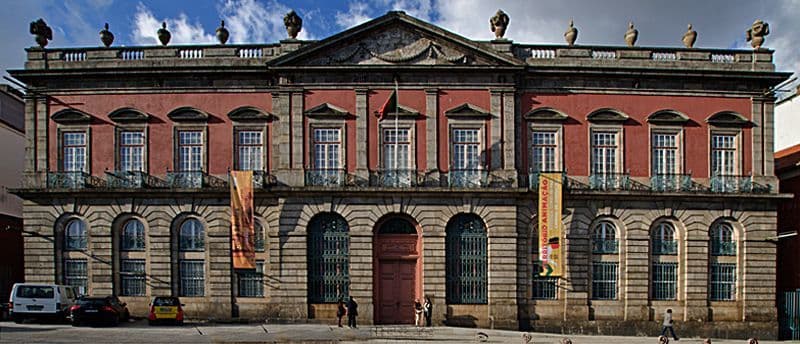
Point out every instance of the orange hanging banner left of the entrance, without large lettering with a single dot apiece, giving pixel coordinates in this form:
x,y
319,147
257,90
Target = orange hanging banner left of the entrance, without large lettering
x,y
242,230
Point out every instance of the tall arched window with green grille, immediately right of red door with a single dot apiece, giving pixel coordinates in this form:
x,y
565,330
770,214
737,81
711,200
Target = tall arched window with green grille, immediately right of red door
x,y
466,260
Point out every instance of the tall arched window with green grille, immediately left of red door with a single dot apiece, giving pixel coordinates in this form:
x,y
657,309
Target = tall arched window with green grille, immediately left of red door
x,y
328,258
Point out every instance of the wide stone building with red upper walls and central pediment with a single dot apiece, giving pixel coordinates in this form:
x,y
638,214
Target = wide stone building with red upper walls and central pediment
x,y
666,158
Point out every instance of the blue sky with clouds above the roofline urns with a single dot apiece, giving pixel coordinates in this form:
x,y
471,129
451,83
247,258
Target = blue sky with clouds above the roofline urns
x,y
719,23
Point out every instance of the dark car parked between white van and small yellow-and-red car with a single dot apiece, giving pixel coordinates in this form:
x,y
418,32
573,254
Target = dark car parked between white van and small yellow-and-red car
x,y
99,310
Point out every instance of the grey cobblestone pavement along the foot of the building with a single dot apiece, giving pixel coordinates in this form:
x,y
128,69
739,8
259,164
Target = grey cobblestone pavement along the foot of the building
x,y
140,332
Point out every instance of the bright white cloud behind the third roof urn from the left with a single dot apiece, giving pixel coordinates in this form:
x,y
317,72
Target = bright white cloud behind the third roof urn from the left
x,y
145,29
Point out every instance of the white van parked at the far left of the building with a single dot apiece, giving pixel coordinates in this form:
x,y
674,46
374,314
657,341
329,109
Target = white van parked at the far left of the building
x,y
38,300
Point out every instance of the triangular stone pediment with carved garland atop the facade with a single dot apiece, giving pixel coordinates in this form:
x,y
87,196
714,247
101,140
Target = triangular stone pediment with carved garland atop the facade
x,y
395,39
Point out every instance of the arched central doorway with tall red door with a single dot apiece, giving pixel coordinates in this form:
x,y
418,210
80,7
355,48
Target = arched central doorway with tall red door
x,y
398,270
